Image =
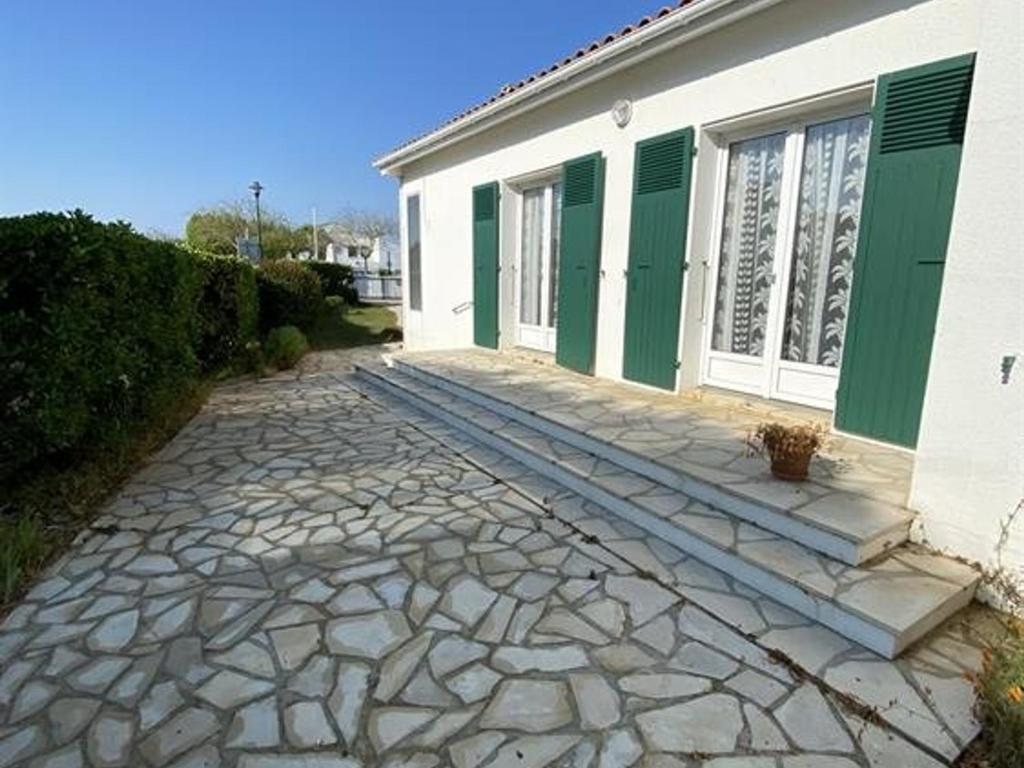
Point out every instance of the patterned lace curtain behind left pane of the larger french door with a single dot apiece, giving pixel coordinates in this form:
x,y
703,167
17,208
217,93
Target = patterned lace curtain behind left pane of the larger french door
x,y
745,273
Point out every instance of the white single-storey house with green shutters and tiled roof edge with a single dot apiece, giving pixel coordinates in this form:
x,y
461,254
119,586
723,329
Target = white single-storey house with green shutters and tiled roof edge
x,y
813,202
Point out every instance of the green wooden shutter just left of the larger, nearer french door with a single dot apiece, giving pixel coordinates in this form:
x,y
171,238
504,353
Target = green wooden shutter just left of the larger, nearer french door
x,y
658,258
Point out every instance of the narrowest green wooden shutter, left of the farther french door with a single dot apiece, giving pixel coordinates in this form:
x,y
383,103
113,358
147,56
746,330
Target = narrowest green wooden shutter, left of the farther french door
x,y
486,266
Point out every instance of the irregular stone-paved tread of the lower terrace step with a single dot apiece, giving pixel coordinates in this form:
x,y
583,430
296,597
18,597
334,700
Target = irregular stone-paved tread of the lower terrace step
x,y
899,593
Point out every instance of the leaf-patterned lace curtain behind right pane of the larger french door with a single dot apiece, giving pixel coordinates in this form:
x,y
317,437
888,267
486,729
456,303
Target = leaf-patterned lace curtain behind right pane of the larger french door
x,y
832,187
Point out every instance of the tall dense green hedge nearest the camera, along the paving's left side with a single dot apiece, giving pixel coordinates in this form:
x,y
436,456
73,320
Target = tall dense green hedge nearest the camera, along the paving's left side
x,y
101,328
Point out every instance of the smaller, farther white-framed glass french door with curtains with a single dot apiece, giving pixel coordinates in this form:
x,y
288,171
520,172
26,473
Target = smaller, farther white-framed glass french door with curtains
x,y
537,311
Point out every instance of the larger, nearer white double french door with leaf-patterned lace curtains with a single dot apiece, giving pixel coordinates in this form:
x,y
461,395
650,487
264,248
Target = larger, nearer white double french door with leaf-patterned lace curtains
x,y
790,216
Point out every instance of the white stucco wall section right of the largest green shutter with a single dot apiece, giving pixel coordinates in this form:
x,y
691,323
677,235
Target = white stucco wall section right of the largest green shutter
x,y
969,475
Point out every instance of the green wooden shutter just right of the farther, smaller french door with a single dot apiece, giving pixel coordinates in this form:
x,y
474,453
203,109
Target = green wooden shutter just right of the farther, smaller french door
x,y
583,198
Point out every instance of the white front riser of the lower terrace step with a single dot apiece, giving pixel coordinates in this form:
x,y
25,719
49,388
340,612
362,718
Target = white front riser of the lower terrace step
x,y
862,629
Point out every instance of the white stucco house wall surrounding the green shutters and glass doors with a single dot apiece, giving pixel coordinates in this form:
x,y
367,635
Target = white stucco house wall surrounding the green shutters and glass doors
x,y
795,52
